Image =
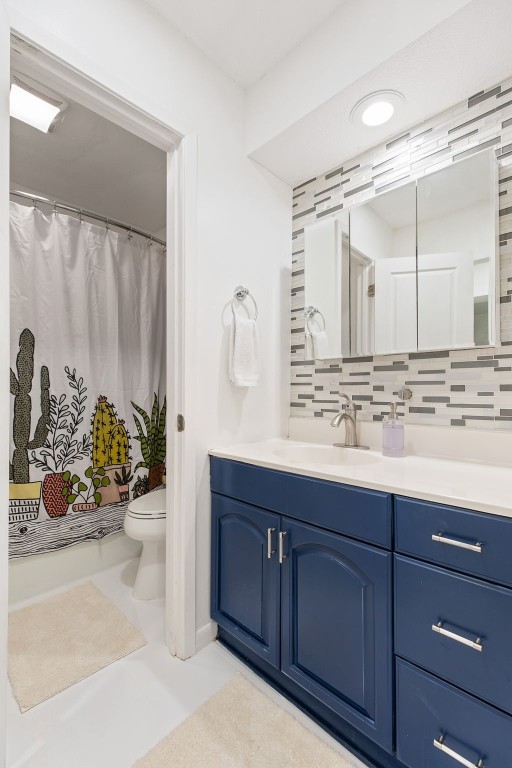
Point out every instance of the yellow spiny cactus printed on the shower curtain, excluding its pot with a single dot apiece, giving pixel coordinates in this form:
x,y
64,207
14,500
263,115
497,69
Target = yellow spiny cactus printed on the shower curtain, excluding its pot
x,y
110,440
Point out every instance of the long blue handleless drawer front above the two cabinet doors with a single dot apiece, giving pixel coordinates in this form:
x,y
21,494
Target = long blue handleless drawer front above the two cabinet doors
x,y
356,512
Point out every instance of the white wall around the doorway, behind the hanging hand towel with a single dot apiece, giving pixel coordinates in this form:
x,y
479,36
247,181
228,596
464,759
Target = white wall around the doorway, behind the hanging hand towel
x,y
243,211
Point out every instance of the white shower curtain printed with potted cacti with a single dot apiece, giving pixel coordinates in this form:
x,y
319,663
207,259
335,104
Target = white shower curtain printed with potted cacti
x,y
87,378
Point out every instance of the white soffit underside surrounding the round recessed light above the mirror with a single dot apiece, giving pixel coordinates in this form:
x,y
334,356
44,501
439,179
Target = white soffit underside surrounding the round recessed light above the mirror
x,y
435,72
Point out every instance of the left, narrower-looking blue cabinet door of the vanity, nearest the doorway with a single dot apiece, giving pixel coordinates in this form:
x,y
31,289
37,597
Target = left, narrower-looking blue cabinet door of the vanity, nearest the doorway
x,y
245,581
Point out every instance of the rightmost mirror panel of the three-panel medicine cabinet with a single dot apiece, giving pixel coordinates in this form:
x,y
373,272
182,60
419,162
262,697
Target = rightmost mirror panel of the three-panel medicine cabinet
x,y
456,255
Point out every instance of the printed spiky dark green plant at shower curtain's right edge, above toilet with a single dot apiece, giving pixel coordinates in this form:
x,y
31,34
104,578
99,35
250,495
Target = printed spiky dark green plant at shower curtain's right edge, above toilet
x,y
153,441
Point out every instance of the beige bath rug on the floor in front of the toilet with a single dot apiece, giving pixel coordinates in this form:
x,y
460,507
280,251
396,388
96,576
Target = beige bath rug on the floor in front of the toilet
x,y
57,642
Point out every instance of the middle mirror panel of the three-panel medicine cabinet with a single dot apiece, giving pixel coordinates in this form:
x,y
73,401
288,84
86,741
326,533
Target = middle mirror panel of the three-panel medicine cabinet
x,y
383,274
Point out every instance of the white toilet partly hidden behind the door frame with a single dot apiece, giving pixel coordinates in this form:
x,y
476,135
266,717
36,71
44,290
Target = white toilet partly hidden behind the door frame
x,y
145,521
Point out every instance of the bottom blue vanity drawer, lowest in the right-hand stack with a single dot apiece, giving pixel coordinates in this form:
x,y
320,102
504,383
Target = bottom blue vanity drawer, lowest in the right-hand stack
x,y
429,710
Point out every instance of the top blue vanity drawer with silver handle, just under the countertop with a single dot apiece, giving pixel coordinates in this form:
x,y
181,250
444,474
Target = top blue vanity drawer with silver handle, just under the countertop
x,y
473,542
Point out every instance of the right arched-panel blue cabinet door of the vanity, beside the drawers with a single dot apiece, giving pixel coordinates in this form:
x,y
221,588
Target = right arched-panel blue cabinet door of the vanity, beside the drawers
x,y
336,625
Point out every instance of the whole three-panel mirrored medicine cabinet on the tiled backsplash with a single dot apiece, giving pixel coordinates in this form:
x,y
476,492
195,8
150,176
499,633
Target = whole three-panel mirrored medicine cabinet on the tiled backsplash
x,y
413,269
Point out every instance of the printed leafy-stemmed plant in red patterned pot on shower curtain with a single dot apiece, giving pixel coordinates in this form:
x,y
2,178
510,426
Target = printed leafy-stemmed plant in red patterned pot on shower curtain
x,y
62,446
